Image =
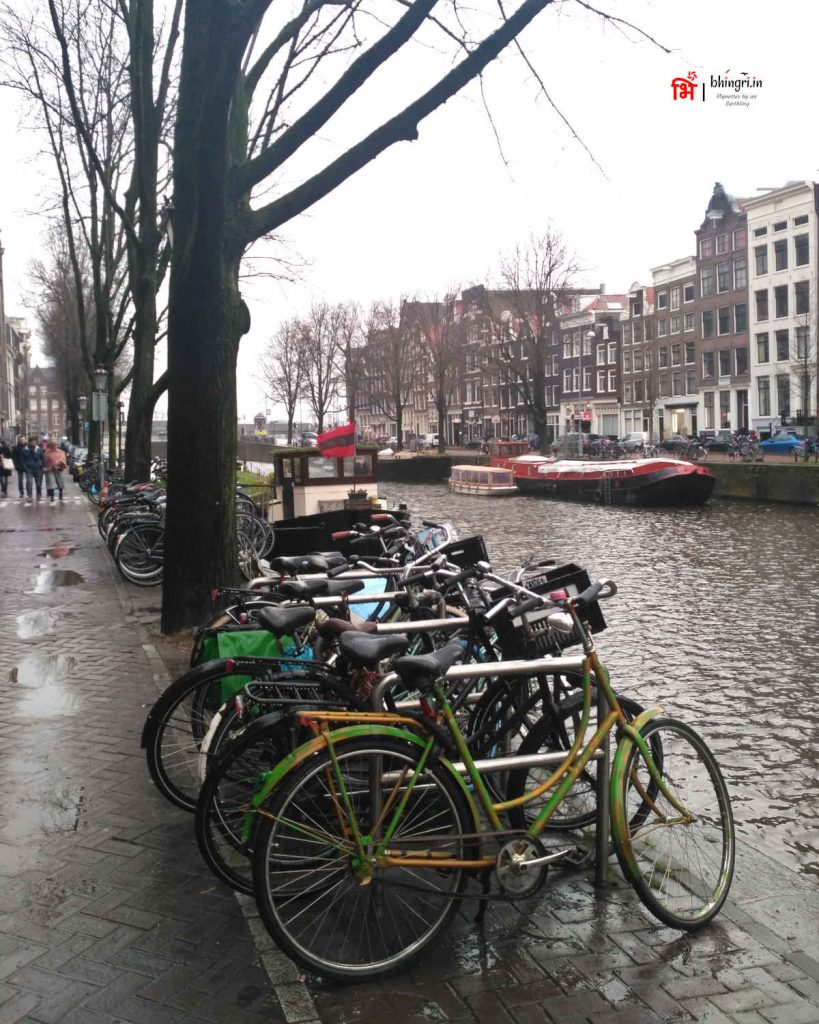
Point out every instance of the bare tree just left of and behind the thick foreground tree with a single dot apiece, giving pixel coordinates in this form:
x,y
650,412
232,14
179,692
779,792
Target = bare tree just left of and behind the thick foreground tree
x,y
100,79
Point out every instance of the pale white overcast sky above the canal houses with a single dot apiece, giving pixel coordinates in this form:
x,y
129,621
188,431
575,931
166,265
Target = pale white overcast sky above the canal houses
x,y
437,214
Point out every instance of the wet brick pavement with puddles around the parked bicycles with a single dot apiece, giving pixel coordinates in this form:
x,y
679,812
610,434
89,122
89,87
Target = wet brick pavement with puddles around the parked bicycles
x,y
108,915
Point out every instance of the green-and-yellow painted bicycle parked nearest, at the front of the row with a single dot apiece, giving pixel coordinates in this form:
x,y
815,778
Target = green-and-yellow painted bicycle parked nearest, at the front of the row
x,y
366,836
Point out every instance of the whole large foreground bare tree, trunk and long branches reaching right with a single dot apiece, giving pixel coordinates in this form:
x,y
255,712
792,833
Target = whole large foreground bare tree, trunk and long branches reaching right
x,y
250,101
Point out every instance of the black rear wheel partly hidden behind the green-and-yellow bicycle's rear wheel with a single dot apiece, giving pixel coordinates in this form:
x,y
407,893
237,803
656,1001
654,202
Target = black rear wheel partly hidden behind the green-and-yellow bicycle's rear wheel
x,y
231,782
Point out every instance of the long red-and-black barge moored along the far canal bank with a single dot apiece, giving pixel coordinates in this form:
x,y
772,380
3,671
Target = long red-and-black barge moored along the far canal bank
x,y
638,482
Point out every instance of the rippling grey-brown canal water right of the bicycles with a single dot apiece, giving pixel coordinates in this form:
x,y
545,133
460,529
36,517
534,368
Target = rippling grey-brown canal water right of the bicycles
x,y
716,618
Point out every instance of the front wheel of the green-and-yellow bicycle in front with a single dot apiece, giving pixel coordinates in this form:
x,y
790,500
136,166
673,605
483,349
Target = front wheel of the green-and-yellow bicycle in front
x,y
680,860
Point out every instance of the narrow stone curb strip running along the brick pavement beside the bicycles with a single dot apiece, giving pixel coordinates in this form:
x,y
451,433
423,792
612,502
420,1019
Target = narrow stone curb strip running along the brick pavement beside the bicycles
x,y
296,1002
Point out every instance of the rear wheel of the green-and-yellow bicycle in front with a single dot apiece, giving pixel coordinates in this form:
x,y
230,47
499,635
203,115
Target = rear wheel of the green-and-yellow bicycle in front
x,y
325,911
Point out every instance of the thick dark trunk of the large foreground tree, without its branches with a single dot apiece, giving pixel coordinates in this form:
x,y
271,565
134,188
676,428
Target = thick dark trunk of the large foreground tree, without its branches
x,y
207,319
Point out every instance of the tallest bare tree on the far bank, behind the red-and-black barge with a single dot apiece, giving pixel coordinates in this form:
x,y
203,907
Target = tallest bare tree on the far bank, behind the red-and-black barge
x,y
535,284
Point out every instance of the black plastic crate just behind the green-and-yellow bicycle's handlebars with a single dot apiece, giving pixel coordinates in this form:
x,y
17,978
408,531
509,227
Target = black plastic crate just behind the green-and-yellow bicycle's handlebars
x,y
529,636
